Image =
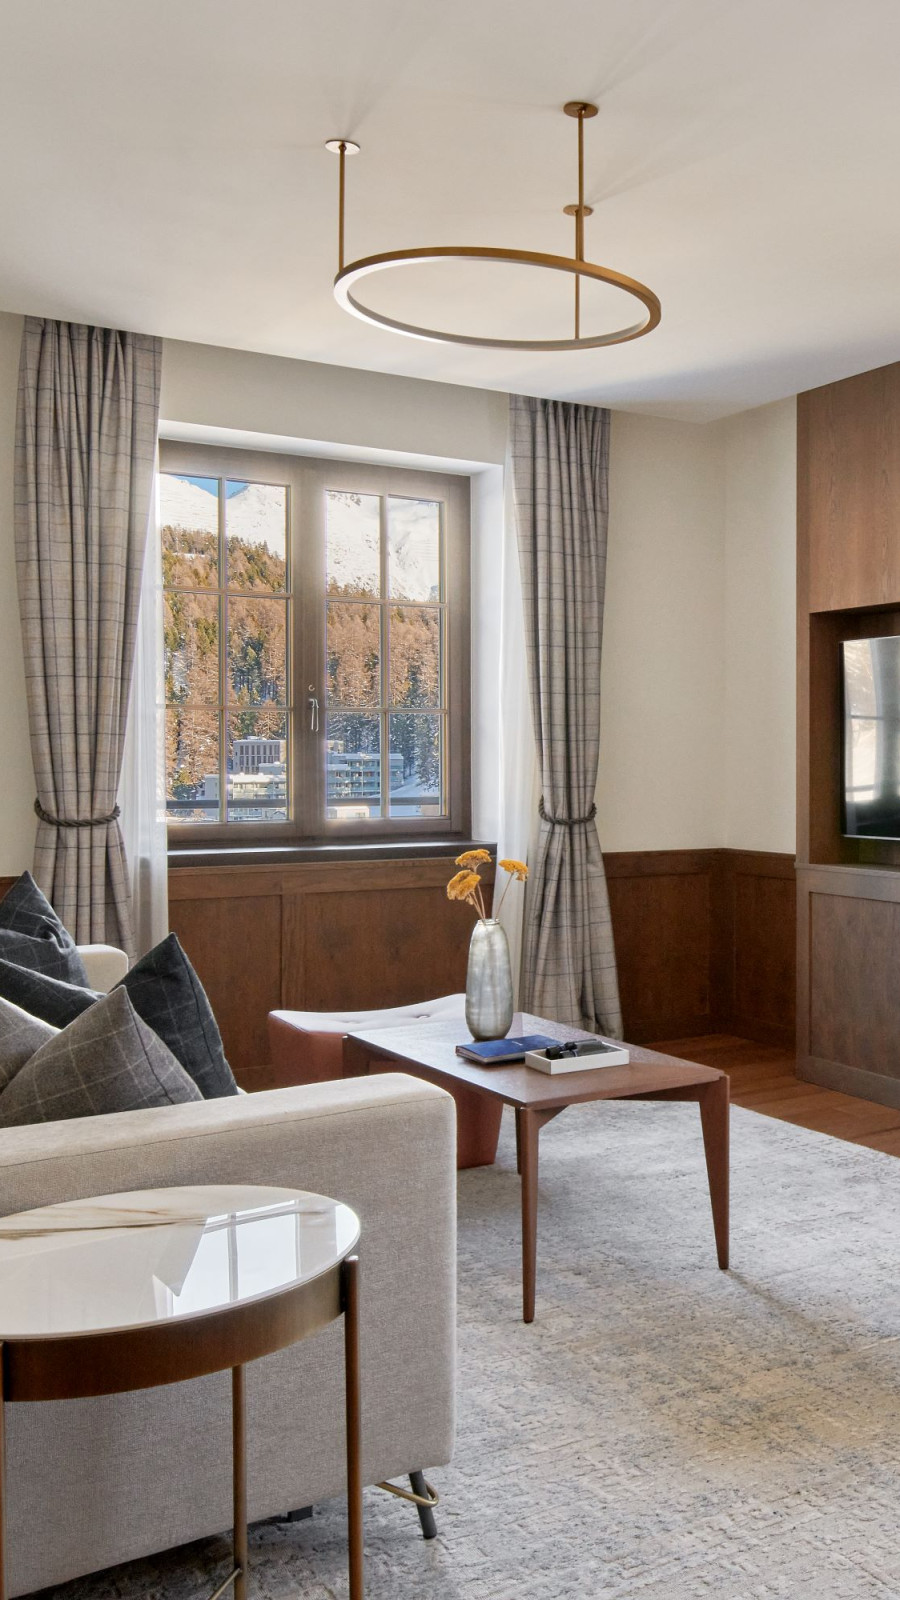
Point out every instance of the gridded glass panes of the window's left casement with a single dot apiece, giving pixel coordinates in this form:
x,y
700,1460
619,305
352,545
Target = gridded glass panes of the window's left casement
x,y
227,634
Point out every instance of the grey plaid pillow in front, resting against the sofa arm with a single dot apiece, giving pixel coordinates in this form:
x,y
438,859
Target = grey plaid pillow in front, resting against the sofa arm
x,y
105,1062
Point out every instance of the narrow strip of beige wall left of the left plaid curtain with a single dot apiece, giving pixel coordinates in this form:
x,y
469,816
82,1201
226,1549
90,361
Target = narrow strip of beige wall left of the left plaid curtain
x,y
17,778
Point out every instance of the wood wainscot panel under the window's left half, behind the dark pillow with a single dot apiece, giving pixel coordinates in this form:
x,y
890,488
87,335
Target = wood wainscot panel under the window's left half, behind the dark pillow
x,y
235,940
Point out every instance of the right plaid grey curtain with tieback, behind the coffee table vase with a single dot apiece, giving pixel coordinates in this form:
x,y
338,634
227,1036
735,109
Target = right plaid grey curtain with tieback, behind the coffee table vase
x,y
560,455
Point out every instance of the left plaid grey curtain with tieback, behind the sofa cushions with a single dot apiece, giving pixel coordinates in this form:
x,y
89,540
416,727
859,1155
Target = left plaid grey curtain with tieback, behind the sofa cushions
x,y
86,444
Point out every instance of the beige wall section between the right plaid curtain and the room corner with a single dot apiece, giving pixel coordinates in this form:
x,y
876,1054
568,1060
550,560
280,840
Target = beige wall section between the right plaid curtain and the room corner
x,y
661,785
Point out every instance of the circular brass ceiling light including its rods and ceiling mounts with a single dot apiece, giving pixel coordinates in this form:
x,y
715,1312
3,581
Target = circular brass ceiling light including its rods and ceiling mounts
x,y
577,268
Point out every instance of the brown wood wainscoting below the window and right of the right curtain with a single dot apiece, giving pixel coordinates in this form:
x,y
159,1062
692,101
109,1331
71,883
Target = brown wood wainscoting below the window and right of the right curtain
x,y
704,942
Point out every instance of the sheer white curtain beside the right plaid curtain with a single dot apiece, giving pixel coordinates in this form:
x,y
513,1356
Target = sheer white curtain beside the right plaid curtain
x,y
518,761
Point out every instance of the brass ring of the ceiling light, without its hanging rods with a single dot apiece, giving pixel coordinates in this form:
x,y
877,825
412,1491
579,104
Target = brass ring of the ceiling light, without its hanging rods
x,y
528,258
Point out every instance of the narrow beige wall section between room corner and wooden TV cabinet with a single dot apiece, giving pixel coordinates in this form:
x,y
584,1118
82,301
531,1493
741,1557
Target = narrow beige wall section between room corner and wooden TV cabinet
x,y
760,734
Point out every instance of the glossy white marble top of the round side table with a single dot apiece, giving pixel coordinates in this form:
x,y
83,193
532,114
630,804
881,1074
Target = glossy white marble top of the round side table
x,y
135,1260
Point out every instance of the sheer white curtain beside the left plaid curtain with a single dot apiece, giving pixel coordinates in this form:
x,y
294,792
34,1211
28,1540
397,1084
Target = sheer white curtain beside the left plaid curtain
x,y
142,791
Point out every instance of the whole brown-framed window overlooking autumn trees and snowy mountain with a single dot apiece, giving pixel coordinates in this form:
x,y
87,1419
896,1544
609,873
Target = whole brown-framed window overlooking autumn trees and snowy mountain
x,y
316,649
